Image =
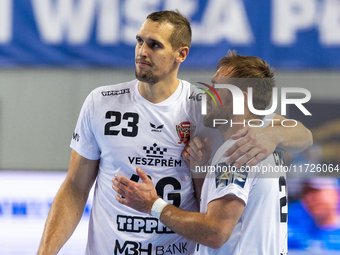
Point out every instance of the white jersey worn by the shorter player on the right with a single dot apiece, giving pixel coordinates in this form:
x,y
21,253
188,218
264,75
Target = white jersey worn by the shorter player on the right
x,y
262,228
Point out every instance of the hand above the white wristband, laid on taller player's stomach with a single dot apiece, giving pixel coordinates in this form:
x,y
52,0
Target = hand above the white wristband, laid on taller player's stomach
x,y
139,196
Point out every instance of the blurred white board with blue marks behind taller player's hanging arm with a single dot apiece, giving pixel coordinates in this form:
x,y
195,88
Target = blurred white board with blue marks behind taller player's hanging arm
x,y
25,200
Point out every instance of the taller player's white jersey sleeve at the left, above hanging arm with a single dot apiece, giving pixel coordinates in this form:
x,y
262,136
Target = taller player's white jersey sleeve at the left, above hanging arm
x,y
83,139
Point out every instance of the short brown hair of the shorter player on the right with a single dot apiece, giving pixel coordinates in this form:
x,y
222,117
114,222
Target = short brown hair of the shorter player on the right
x,y
251,67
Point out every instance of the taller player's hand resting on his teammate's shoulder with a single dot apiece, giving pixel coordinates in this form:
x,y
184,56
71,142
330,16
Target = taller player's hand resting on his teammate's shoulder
x,y
255,145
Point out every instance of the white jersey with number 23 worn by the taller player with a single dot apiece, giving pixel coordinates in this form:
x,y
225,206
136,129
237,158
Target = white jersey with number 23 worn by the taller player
x,y
124,130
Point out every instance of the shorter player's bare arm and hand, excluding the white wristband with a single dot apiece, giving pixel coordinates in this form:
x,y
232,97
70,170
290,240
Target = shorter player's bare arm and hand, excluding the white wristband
x,y
212,229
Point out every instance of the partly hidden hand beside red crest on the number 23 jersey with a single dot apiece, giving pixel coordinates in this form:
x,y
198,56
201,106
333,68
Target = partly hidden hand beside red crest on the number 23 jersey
x,y
197,152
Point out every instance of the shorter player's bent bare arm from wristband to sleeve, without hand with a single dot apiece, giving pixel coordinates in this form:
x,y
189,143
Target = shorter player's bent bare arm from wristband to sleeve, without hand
x,y
212,229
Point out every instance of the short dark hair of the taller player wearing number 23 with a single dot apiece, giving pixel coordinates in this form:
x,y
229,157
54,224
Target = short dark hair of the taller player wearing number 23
x,y
181,34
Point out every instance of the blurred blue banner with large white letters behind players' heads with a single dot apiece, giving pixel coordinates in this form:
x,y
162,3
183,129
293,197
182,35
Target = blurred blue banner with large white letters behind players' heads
x,y
101,33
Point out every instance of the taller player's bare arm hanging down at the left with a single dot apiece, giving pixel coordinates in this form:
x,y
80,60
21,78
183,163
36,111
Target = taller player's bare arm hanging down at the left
x,y
68,205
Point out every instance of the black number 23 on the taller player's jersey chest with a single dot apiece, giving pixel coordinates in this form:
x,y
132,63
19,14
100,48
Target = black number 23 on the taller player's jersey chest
x,y
132,129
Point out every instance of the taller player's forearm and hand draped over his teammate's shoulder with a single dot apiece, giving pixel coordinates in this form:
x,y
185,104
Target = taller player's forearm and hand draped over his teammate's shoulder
x,y
258,143
